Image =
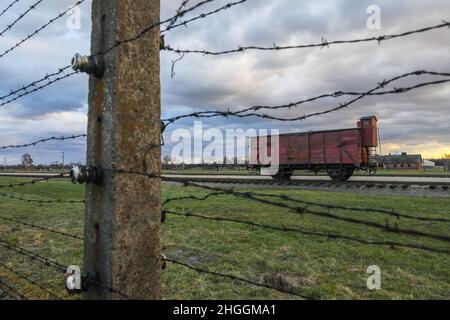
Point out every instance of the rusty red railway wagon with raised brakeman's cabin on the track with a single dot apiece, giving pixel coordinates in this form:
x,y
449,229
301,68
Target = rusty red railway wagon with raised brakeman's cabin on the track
x,y
338,152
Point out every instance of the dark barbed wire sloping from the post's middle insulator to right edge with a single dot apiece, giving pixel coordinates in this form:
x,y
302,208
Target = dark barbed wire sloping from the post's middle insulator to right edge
x,y
305,210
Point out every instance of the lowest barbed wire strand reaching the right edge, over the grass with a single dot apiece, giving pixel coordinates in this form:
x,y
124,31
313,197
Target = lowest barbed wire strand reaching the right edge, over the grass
x,y
391,244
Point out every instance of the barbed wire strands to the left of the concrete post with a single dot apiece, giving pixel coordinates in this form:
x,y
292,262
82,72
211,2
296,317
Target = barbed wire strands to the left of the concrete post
x,y
11,273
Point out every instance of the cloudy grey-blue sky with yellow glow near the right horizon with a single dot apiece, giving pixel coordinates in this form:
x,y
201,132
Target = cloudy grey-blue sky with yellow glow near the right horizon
x,y
416,122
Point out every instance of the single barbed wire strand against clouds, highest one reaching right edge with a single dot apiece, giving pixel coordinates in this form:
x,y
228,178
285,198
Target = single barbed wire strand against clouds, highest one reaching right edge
x,y
323,44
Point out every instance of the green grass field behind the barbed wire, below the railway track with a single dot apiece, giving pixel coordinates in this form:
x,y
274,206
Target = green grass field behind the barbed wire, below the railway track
x,y
310,265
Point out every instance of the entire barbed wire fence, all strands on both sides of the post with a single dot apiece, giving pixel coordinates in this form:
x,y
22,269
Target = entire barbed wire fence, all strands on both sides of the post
x,y
297,206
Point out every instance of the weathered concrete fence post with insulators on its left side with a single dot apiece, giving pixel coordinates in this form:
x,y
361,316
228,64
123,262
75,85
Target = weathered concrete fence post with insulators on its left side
x,y
123,213
